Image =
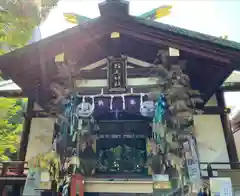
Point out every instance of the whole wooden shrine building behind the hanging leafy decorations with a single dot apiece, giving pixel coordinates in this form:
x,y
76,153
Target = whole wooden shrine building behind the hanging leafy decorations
x,y
117,41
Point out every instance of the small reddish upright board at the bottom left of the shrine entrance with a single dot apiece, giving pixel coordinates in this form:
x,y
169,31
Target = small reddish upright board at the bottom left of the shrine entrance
x,y
77,185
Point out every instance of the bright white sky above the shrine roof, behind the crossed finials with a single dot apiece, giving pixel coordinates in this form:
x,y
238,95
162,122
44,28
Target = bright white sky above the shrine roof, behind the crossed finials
x,y
214,17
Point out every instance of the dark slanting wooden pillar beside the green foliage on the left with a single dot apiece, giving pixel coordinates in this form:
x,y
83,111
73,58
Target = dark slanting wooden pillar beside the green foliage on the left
x,y
26,130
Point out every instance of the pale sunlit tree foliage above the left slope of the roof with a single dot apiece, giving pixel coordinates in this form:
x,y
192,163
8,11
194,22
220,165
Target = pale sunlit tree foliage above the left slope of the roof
x,y
18,20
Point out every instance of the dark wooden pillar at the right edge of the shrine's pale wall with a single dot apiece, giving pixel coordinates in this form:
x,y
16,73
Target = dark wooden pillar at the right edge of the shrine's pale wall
x,y
229,137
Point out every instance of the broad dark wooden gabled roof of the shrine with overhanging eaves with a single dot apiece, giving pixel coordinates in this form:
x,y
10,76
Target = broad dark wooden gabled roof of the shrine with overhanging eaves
x,y
207,57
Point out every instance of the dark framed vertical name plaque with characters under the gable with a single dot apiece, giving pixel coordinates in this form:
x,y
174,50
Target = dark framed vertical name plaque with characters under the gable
x,y
117,74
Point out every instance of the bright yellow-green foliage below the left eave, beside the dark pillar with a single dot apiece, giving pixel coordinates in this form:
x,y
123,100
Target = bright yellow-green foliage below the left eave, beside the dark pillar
x,y
11,125
